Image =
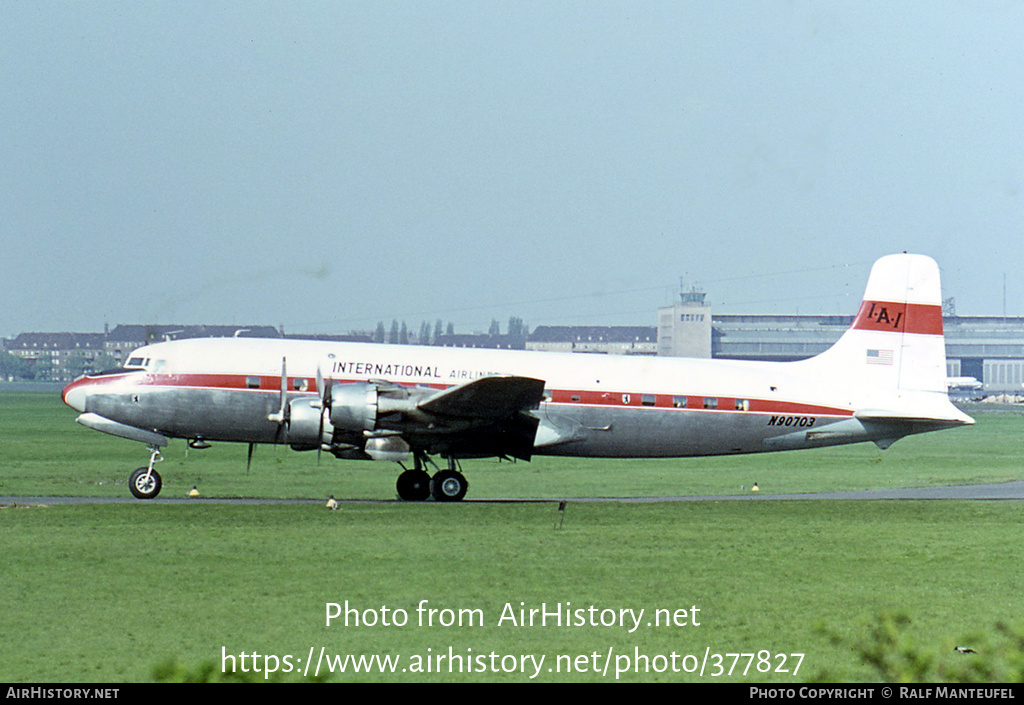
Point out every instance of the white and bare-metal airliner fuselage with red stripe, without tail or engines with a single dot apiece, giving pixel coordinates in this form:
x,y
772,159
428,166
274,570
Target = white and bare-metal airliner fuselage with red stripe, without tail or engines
x,y
228,390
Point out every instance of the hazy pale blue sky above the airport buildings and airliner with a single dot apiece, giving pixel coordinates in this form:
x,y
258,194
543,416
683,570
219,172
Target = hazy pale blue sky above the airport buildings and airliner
x,y
326,165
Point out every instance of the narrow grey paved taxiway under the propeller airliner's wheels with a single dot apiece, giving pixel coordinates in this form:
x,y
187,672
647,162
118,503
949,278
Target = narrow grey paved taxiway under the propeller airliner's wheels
x,y
999,491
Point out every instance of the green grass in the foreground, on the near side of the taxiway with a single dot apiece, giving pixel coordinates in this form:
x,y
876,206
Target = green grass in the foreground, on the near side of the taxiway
x,y
107,594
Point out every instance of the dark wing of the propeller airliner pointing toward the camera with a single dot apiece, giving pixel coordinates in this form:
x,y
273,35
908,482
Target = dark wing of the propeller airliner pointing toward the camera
x,y
487,398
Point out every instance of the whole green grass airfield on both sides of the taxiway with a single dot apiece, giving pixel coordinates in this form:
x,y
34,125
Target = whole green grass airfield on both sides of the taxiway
x,y
131,593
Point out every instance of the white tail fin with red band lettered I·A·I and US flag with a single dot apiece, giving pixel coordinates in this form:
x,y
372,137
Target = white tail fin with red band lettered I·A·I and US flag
x,y
894,354
